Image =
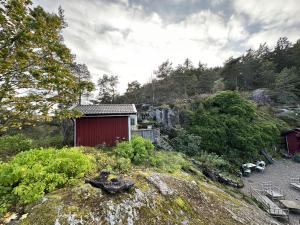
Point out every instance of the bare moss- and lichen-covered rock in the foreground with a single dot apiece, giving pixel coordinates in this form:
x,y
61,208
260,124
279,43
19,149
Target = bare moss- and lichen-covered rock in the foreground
x,y
157,198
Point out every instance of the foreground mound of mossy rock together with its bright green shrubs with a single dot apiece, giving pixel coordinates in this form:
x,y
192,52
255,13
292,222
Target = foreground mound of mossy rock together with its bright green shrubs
x,y
170,190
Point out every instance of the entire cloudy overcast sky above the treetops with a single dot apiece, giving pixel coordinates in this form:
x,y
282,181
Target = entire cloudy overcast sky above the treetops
x,y
130,38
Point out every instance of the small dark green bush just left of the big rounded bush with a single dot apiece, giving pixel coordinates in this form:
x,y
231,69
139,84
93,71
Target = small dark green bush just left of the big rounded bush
x,y
187,143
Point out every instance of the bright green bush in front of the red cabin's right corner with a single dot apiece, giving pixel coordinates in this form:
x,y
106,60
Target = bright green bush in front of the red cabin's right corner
x,y
138,150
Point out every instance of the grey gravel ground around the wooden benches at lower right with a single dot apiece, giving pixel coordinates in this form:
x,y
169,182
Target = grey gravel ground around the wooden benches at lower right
x,y
279,173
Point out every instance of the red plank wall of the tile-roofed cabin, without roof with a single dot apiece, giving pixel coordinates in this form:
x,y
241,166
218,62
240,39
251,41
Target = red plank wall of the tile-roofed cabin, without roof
x,y
92,131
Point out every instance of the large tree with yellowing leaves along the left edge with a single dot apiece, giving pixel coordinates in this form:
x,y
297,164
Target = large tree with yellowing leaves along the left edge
x,y
34,65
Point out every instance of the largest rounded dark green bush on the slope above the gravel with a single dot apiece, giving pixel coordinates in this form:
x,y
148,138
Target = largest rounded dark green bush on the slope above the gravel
x,y
230,126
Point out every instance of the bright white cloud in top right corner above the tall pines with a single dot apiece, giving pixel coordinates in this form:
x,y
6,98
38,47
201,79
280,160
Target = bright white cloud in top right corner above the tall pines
x,y
271,19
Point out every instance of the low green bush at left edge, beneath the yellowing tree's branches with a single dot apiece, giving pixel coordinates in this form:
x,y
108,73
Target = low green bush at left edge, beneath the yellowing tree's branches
x,y
11,145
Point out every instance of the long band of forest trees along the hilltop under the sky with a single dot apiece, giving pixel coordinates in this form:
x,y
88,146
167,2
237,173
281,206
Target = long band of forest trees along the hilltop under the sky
x,y
276,69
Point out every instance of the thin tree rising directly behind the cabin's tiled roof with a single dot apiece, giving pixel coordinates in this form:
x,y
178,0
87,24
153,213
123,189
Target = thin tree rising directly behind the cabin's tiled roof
x,y
107,88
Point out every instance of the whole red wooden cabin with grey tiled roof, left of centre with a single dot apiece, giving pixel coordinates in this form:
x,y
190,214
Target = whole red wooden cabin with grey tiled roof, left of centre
x,y
104,124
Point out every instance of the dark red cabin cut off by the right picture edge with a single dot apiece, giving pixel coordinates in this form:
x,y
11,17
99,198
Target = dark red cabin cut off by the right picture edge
x,y
292,138
